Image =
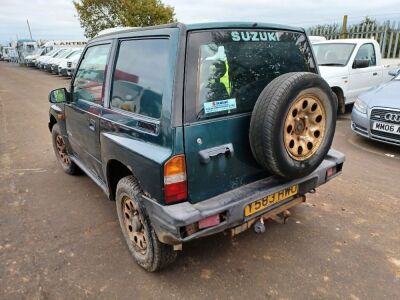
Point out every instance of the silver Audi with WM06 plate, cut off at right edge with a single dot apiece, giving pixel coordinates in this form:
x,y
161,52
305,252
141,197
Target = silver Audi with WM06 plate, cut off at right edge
x,y
376,113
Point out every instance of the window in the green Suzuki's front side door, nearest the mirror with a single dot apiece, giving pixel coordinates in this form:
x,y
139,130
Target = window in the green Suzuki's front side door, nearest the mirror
x,y
89,80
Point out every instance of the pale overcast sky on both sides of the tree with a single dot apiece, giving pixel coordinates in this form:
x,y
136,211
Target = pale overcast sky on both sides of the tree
x,y
56,19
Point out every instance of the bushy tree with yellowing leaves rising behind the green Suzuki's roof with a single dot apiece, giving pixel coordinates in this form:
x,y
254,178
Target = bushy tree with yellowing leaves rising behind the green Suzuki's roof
x,y
96,15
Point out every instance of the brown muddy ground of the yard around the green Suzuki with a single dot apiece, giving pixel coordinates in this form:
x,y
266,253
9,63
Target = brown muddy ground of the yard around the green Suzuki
x,y
60,237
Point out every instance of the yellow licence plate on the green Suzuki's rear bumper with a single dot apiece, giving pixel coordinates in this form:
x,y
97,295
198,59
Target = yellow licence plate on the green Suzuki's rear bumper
x,y
269,200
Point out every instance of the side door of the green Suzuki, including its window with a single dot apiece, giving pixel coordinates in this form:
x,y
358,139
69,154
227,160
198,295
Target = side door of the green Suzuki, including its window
x,y
83,112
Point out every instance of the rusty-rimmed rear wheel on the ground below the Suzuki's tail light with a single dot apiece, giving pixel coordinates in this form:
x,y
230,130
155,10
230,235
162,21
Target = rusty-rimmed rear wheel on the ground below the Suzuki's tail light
x,y
140,236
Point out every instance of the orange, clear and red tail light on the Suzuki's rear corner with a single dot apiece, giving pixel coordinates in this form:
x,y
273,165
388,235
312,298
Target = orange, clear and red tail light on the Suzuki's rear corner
x,y
175,184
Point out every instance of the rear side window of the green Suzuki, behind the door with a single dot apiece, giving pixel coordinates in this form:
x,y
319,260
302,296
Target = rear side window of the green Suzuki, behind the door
x,y
140,76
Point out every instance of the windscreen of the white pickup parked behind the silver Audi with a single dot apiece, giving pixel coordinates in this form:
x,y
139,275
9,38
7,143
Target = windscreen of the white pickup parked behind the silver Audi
x,y
333,54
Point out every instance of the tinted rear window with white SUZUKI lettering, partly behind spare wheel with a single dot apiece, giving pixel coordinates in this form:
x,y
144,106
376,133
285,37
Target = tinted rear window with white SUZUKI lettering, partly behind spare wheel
x,y
228,69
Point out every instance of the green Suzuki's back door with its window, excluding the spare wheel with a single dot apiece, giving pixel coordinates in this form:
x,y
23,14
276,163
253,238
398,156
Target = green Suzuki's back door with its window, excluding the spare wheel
x,y
226,70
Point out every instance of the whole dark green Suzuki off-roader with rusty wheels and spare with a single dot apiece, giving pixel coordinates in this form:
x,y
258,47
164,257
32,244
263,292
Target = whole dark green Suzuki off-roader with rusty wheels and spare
x,y
197,129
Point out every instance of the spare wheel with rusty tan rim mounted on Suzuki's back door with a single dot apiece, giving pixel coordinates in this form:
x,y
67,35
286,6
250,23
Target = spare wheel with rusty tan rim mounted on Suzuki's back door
x,y
292,124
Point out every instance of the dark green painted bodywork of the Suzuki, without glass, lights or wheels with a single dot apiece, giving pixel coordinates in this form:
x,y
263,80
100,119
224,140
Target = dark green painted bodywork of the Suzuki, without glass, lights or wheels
x,y
121,136
